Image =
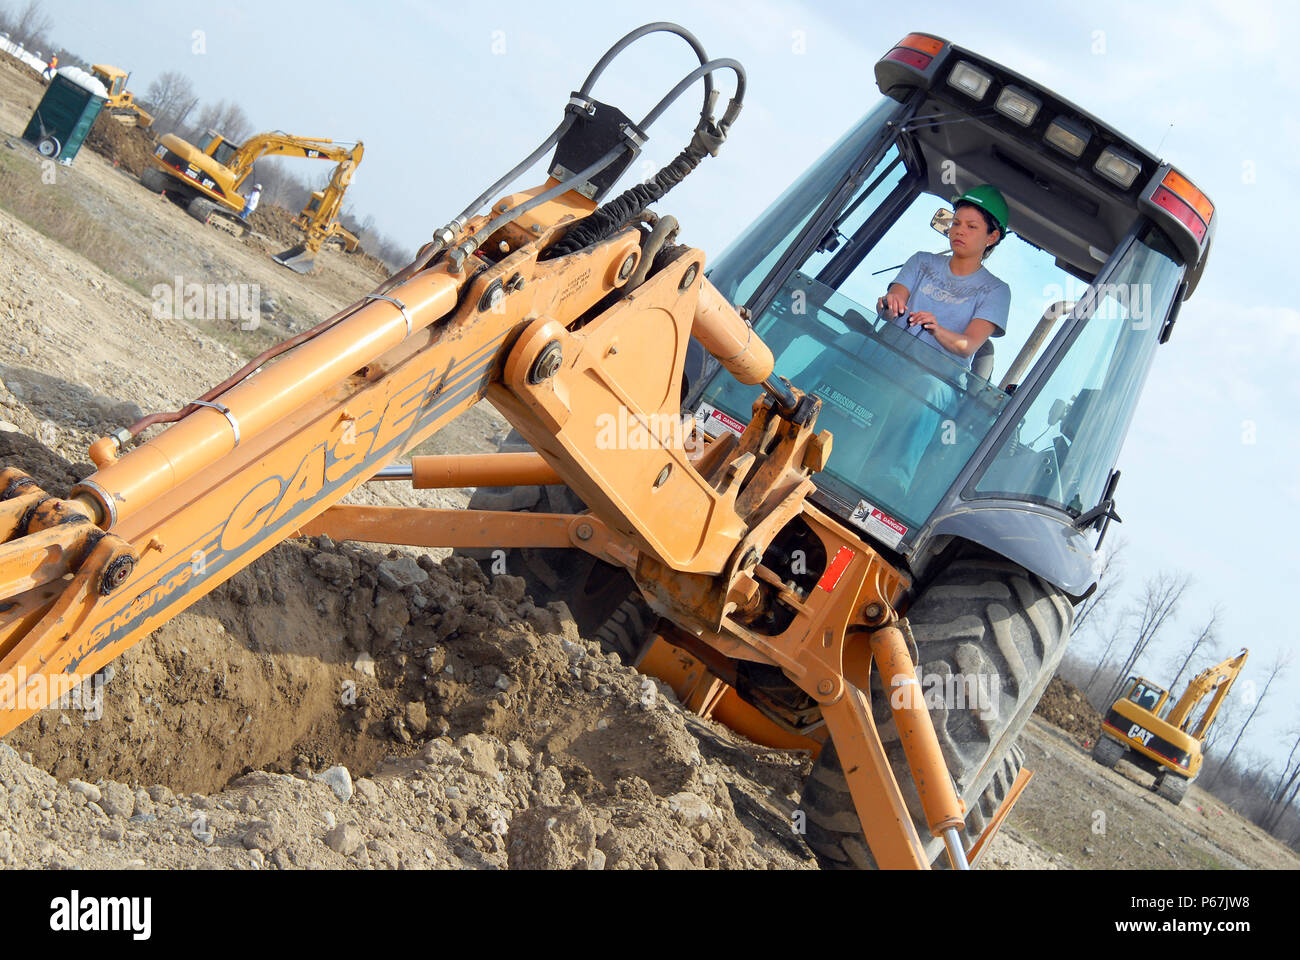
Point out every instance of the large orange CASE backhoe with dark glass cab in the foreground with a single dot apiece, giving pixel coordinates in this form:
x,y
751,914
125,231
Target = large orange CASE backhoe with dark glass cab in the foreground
x,y
714,442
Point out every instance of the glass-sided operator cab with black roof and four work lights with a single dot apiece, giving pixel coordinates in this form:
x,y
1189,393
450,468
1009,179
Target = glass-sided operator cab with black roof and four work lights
x,y
1104,241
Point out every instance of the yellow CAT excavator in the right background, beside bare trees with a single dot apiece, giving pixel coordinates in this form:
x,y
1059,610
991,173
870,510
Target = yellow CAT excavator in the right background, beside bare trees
x,y
1142,729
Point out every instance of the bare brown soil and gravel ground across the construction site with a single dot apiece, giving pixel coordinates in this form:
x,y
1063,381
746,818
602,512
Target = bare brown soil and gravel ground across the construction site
x,y
337,706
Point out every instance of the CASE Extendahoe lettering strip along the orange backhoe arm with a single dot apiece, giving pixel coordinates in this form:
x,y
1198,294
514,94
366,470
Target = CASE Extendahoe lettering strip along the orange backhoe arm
x,y
276,505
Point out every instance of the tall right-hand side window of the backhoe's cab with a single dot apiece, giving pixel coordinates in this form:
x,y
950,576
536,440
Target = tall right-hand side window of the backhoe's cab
x,y
1065,446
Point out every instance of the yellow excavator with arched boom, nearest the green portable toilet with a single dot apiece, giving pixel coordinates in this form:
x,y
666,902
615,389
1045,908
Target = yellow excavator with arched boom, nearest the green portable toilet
x,y
207,178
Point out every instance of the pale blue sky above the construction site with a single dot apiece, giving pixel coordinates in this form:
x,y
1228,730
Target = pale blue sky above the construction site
x,y
448,97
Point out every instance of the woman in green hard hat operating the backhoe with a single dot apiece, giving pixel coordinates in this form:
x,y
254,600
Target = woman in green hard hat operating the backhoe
x,y
954,304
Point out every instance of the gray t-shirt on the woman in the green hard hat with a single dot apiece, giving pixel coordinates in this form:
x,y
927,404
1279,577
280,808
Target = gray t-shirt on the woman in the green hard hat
x,y
955,301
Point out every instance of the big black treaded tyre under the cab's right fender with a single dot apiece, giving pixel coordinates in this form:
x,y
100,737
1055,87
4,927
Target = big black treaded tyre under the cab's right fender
x,y
986,630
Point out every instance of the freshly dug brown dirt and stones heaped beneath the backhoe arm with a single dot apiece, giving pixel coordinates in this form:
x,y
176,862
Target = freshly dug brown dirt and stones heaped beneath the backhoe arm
x,y
487,724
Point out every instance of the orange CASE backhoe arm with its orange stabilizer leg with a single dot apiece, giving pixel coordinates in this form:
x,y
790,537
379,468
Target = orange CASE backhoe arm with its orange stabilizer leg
x,y
159,526
